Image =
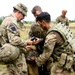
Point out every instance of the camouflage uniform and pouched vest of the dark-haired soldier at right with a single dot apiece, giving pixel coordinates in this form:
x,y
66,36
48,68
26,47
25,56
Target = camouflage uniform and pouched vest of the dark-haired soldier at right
x,y
56,54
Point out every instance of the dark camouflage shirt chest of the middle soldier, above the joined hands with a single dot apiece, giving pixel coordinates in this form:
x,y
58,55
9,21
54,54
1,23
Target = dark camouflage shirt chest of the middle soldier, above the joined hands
x,y
36,31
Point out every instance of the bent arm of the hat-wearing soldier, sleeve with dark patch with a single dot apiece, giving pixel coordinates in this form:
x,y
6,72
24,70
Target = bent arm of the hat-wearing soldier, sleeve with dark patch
x,y
14,37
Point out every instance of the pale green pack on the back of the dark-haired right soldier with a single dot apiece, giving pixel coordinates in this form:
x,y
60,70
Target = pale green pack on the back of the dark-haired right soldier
x,y
66,33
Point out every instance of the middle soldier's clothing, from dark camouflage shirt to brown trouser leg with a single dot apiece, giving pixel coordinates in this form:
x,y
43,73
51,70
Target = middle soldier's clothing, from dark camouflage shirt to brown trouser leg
x,y
35,31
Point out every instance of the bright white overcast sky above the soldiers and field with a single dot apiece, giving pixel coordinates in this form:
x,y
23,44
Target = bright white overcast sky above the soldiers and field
x,y
54,7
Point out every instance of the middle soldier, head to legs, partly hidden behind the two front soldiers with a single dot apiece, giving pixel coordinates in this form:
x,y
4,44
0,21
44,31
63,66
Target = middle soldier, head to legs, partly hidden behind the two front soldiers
x,y
36,31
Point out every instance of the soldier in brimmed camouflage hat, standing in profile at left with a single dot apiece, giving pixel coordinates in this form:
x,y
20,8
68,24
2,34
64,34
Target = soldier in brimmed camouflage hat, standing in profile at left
x,y
12,52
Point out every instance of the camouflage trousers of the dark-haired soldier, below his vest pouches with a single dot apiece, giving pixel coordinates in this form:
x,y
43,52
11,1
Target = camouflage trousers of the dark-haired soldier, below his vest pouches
x,y
56,70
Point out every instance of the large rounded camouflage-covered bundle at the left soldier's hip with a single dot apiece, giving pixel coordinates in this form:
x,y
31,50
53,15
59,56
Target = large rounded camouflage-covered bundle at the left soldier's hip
x,y
8,53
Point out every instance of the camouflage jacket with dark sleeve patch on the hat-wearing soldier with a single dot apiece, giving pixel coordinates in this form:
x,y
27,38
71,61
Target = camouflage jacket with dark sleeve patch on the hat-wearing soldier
x,y
12,33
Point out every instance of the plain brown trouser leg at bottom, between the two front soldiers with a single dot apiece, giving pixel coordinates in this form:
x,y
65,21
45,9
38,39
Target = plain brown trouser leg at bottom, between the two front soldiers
x,y
32,68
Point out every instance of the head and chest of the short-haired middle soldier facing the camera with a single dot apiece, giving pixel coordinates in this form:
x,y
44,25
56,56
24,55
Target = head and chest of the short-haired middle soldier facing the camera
x,y
36,30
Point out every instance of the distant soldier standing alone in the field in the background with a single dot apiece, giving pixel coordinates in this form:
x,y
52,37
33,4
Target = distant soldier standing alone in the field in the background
x,y
62,18
